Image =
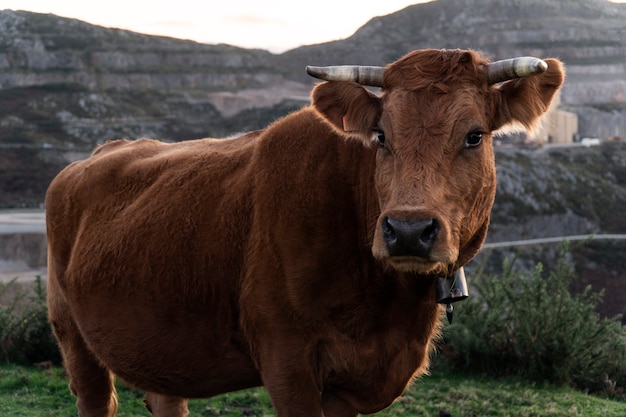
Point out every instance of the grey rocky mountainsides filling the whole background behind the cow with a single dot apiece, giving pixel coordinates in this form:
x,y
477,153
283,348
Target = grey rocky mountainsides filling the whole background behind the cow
x,y
66,85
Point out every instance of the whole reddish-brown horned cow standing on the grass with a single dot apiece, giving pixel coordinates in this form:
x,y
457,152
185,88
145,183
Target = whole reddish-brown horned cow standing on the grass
x,y
301,257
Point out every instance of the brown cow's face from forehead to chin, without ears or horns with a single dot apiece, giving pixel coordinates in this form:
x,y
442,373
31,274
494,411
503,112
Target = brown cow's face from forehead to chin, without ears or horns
x,y
435,179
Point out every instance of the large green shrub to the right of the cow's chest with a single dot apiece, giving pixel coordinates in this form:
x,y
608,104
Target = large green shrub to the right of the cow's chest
x,y
530,324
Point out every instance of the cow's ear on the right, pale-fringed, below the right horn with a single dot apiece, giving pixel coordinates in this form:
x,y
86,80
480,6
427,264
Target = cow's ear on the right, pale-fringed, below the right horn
x,y
523,101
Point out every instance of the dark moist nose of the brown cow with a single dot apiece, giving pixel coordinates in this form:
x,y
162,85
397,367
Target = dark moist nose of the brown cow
x,y
410,237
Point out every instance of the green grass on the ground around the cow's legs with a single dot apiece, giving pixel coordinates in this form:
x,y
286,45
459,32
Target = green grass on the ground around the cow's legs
x,y
30,392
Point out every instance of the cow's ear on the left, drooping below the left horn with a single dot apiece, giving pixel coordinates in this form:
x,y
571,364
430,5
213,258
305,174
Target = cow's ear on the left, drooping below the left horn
x,y
348,107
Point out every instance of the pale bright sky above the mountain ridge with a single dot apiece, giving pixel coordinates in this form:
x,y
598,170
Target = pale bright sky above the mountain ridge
x,y
274,25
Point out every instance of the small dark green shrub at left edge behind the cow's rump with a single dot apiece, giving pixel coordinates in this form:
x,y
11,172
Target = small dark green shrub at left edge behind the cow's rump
x,y
25,333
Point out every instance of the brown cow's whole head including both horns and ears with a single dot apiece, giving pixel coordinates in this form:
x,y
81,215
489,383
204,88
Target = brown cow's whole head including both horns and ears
x,y
433,126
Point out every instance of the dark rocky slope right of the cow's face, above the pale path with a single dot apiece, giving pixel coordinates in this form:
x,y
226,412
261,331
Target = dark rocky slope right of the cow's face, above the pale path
x,y
556,191
